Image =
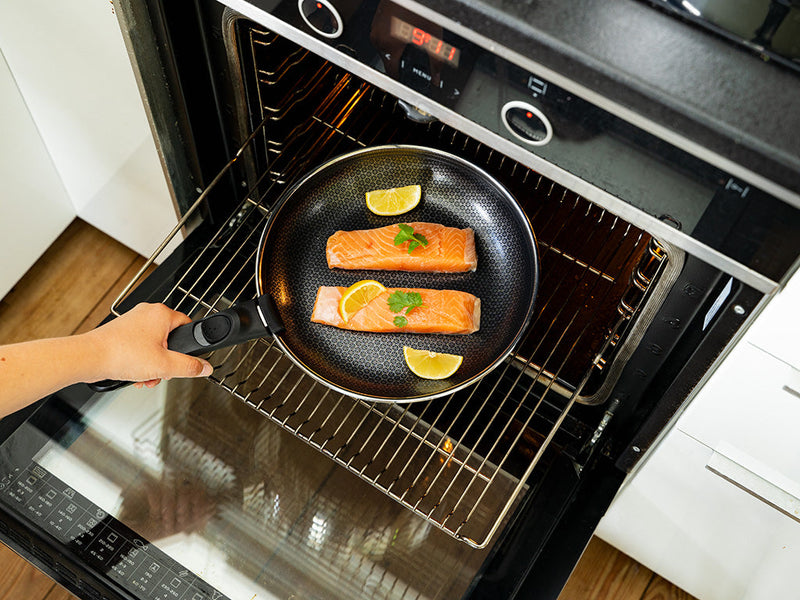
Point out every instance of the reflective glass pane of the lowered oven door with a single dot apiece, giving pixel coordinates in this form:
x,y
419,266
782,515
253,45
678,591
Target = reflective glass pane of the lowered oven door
x,y
184,492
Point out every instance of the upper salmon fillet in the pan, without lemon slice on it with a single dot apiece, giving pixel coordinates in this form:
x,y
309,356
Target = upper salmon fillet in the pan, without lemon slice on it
x,y
449,249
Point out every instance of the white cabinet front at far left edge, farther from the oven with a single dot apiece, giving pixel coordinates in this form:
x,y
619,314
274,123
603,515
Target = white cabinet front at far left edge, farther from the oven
x,y
34,206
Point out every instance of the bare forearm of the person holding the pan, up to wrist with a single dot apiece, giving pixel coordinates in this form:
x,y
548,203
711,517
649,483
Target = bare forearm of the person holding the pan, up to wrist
x,y
32,370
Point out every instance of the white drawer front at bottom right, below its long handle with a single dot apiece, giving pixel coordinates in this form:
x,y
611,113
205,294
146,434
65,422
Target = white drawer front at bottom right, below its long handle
x,y
700,531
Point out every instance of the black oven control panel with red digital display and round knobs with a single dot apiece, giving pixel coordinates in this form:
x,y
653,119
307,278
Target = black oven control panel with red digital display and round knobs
x,y
526,109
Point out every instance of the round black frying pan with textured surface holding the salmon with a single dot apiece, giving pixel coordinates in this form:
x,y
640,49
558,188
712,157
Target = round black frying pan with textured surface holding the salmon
x,y
291,265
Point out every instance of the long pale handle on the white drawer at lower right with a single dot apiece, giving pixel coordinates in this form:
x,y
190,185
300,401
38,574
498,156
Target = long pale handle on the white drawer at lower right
x,y
757,479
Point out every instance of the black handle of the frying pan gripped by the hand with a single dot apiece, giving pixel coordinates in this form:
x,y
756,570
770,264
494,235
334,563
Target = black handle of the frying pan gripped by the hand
x,y
238,324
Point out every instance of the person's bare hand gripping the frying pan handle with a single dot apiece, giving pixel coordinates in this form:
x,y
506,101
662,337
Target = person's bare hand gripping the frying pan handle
x,y
133,347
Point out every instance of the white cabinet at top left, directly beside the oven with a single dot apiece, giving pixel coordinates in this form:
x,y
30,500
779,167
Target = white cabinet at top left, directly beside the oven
x,y
70,65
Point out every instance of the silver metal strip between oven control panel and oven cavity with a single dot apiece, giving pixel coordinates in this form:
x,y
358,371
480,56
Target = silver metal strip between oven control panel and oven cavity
x,y
649,223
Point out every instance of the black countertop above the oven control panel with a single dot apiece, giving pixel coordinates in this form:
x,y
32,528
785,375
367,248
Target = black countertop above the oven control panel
x,y
671,72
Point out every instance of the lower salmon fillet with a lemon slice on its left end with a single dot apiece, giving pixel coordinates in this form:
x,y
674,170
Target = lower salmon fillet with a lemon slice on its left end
x,y
442,311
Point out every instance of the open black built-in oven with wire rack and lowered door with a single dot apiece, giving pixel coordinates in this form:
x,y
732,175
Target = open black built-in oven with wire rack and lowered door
x,y
655,252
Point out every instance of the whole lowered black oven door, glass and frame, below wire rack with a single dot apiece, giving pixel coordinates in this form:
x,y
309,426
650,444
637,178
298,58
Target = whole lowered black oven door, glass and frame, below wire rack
x,y
184,491
